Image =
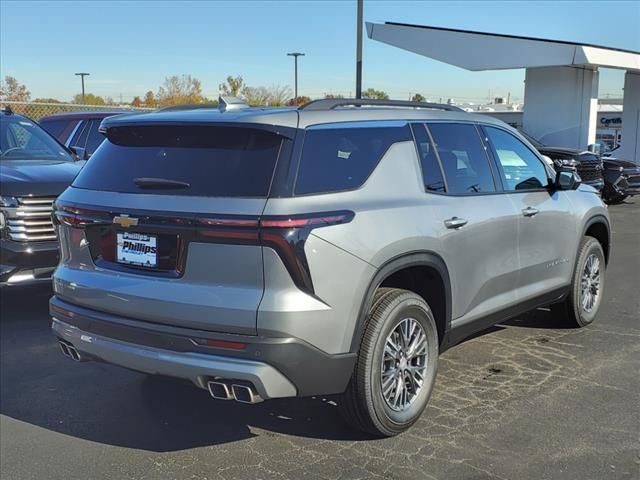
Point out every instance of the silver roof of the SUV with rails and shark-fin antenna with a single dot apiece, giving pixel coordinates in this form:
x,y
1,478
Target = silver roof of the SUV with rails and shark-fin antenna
x,y
292,117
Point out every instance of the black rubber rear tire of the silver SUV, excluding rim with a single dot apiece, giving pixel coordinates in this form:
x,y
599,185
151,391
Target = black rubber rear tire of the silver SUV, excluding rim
x,y
363,404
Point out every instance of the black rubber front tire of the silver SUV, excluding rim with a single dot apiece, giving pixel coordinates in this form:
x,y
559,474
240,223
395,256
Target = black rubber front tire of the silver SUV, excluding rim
x,y
572,311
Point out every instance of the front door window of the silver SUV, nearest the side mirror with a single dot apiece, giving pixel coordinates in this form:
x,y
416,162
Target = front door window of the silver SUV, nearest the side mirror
x,y
519,167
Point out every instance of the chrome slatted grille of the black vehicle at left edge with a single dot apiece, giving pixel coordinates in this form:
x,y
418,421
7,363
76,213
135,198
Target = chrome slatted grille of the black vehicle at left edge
x,y
31,220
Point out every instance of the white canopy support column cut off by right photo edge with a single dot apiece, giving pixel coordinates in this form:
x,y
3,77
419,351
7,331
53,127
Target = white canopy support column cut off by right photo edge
x,y
630,142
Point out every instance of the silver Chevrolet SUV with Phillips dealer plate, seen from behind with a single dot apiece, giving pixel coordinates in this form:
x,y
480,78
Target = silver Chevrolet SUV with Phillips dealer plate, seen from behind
x,y
336,248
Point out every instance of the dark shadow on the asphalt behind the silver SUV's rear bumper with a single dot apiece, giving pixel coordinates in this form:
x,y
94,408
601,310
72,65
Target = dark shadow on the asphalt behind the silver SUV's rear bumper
x,y
111,405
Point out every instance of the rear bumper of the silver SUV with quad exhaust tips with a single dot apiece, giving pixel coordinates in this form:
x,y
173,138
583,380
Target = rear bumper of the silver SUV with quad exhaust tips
x,y
245,368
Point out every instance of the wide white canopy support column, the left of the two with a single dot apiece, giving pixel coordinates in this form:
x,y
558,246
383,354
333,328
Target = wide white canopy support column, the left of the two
x,y
561,105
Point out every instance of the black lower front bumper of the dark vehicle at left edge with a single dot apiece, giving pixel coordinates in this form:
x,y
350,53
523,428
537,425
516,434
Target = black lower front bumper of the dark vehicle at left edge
x,y
27,263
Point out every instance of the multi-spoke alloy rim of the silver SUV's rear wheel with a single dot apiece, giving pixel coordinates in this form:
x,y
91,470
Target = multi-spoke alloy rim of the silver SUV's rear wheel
x,y
404,364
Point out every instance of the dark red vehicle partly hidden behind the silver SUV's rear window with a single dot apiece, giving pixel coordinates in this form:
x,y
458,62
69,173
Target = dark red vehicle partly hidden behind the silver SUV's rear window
x,y
78,129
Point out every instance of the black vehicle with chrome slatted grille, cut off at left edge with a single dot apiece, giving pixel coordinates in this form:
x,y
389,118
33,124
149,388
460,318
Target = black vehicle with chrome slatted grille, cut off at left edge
x,y
34,170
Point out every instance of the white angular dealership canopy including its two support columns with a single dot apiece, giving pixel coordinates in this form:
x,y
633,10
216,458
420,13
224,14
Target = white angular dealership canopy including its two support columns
x,y
561,81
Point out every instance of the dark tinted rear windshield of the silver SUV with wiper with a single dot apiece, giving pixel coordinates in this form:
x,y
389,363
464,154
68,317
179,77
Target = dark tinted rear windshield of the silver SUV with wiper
x,y
210,161
